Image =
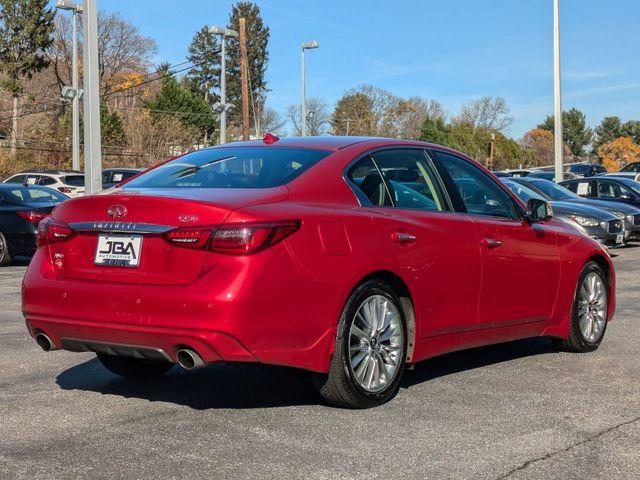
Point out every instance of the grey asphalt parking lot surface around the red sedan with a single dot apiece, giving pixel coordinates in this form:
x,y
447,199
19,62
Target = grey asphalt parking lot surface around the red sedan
x,y
517,410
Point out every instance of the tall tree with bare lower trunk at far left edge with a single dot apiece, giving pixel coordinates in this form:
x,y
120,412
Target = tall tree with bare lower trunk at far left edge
x,y
25,34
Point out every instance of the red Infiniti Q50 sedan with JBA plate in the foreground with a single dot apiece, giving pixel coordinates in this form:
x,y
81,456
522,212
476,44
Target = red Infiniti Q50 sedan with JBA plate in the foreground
x,y
348,257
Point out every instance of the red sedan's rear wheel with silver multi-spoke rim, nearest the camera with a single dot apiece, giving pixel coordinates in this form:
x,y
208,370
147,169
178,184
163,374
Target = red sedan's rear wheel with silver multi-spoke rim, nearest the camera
x,y
370,351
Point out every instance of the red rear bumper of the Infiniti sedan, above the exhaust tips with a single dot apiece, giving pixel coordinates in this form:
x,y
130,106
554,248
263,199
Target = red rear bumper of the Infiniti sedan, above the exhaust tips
x,y
237,316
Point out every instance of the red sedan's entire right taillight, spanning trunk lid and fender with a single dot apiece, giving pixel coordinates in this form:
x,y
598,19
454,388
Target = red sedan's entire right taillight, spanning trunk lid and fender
x,y
234,238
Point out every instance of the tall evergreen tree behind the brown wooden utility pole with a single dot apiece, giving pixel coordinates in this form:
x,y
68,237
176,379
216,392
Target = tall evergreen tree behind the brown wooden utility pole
x,y
257,58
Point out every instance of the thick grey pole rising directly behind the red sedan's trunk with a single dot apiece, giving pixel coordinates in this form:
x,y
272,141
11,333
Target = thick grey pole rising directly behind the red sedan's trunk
x,y
92,142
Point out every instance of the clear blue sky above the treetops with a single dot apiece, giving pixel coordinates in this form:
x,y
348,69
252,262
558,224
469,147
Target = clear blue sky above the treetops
x,y
451,51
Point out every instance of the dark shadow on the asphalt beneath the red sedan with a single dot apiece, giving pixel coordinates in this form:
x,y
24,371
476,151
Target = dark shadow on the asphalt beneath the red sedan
x,y
263,386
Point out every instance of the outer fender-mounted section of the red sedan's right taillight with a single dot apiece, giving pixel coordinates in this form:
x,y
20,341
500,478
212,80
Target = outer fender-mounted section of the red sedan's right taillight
x,y
248,238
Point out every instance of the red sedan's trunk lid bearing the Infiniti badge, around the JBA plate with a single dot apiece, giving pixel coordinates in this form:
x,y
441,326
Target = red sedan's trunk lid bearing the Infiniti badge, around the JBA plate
x,y
128,213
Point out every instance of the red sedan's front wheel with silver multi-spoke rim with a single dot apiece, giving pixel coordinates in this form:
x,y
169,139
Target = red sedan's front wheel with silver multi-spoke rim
x,y
589,311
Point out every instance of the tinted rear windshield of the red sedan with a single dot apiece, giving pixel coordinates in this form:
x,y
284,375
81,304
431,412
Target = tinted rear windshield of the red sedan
x,y
248,167
